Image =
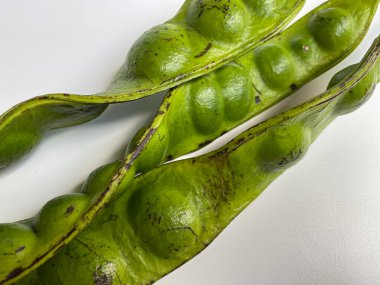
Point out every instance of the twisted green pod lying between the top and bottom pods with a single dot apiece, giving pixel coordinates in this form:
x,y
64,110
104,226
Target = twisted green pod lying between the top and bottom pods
x,y
162,140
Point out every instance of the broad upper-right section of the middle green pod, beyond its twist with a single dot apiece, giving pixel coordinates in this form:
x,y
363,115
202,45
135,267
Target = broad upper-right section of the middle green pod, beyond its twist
x,y
205,108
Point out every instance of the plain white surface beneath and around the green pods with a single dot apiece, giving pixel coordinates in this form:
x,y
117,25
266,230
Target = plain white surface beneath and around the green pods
x,y
317,224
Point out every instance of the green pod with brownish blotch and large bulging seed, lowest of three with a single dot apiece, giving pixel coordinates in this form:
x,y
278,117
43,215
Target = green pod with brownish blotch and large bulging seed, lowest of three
x,y
171,213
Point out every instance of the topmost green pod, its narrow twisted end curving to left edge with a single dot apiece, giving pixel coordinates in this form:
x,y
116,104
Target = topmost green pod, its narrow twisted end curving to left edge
x,y
163,57
